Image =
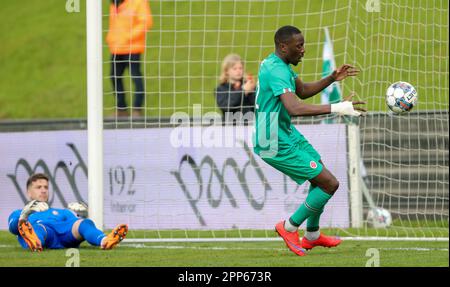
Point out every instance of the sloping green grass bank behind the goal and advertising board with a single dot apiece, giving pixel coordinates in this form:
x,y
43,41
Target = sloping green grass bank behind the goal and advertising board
x,y
43,58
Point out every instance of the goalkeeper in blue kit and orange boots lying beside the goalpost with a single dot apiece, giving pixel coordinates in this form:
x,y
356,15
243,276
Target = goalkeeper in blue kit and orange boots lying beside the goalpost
x,y
37,226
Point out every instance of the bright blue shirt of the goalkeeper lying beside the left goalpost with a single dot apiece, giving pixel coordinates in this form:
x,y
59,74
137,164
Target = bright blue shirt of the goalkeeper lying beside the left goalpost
x,y
57,224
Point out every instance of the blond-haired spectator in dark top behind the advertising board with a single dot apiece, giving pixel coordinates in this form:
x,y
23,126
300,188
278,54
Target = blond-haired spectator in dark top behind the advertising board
x,y
235,93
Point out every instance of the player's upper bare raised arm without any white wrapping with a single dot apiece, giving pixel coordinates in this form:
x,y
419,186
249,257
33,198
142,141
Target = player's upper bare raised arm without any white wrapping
x,y
307,90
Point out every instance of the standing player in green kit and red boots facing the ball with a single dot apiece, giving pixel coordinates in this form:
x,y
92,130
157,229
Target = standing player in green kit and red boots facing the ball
x,y
285,148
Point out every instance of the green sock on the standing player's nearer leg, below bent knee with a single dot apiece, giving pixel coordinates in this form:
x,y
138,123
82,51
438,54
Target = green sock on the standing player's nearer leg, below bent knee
x,y
313,205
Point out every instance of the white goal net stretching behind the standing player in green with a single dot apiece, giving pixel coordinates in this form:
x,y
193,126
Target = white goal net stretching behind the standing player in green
x,y
174,171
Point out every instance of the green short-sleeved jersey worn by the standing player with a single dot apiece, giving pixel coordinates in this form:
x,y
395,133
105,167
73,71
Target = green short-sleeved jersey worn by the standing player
x,y
274,132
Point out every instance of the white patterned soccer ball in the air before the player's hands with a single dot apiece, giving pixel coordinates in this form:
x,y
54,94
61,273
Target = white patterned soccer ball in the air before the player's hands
x,y
401,97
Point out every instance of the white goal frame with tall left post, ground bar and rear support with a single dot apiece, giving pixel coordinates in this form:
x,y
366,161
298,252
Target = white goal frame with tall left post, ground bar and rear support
x,y
357,188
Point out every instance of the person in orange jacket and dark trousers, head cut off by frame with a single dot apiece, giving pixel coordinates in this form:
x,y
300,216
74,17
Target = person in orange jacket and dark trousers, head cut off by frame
x,y
129,20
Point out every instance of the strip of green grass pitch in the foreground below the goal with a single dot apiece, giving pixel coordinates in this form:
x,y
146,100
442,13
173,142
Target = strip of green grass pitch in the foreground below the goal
x,y
233,254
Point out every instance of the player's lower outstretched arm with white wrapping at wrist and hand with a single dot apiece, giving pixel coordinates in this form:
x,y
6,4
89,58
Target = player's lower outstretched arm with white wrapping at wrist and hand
x,y
297,108
